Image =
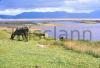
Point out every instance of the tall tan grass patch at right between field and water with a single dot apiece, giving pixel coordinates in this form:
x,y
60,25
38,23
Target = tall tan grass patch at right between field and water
x,y
91,48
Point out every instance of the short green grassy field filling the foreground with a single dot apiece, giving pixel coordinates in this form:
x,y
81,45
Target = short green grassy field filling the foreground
x,y
20,54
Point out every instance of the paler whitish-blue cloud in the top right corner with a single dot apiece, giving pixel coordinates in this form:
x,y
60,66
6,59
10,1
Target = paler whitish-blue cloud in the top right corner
x,y
82,4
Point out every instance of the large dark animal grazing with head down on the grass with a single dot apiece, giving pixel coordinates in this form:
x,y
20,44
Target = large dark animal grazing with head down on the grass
x,y
20,31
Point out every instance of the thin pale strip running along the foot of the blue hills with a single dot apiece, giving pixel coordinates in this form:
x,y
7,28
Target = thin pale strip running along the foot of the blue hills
x,y
54,19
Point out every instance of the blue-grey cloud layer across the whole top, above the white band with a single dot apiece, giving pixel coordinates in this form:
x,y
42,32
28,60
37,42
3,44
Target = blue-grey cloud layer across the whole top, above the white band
x,y
85,4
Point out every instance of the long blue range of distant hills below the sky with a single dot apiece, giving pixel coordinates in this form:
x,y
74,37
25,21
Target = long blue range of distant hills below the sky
x,y
30,15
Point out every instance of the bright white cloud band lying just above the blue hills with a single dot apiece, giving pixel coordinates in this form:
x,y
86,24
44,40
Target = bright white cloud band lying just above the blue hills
x,y
19,11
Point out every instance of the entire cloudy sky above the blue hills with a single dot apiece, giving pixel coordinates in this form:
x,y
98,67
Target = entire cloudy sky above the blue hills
x,y
14,7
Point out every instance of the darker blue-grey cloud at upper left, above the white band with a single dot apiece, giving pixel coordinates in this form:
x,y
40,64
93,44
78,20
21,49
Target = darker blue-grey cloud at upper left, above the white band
x,y
6,4
